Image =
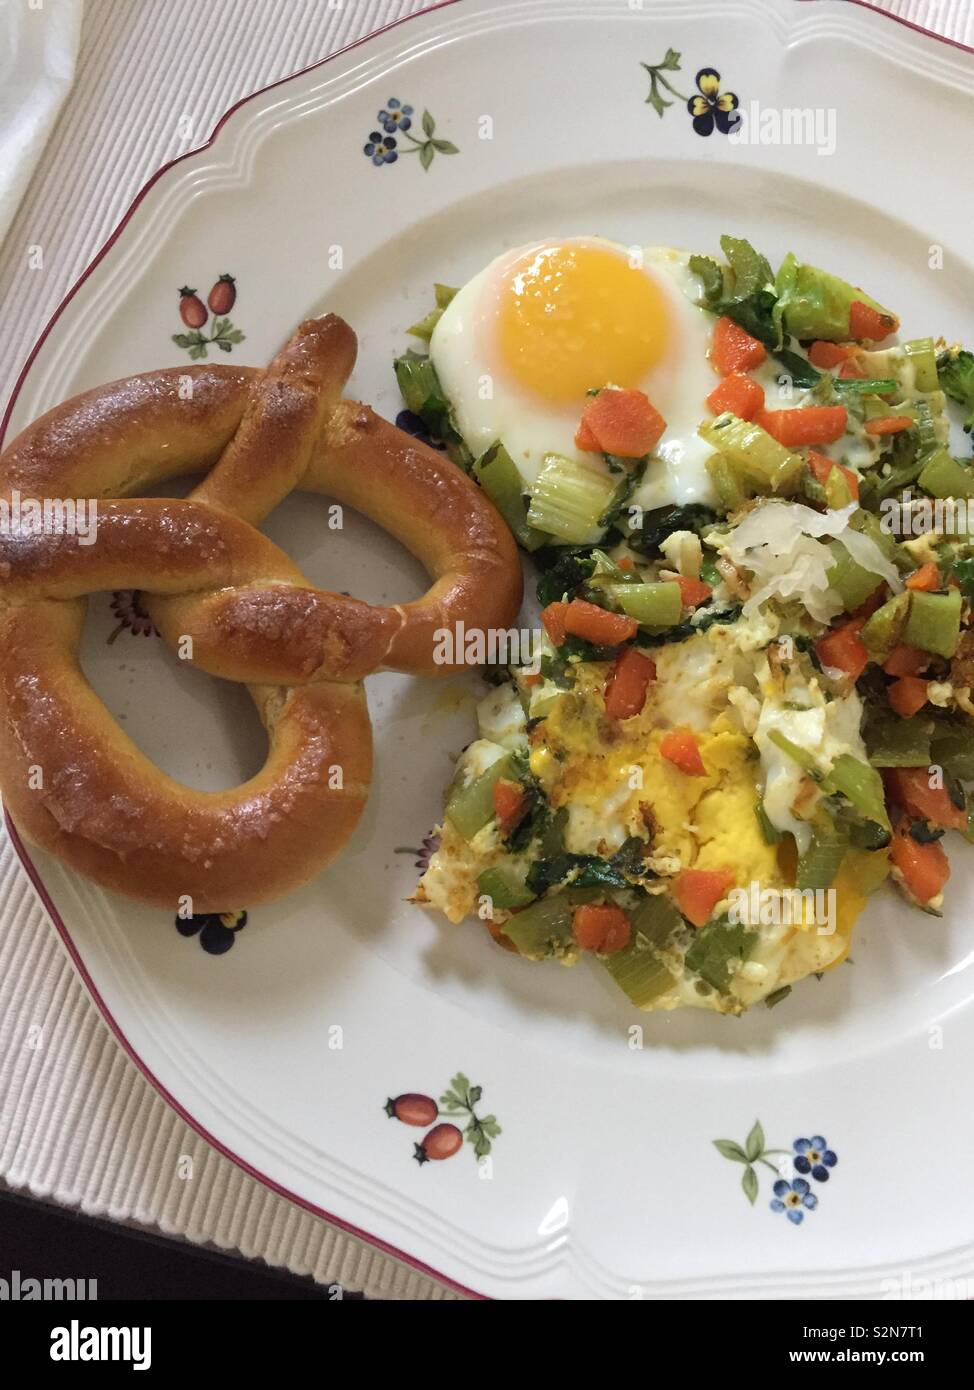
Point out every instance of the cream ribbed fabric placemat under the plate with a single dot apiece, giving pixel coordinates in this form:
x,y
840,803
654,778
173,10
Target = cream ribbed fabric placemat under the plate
x,y
79,1122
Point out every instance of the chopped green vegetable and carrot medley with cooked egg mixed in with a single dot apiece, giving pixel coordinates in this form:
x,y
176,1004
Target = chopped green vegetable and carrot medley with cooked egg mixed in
x,y
789,665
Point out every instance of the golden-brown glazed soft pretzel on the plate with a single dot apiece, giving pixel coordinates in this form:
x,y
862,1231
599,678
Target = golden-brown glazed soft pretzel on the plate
x,y
73,780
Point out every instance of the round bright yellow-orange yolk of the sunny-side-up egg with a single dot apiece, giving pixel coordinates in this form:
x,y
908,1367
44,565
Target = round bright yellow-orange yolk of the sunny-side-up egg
x,y
576,318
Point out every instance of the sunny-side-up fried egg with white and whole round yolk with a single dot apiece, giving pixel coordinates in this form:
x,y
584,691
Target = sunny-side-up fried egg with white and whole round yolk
x,y
523,343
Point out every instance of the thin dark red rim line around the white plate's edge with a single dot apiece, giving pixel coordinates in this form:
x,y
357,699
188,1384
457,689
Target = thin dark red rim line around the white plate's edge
x,y
15,837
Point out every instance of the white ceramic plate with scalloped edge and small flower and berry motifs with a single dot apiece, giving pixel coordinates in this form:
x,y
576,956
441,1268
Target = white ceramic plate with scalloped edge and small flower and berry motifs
x,y
605,1179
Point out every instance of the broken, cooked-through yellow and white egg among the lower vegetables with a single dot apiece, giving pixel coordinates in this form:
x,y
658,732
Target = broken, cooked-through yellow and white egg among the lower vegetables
x,y
612,783
